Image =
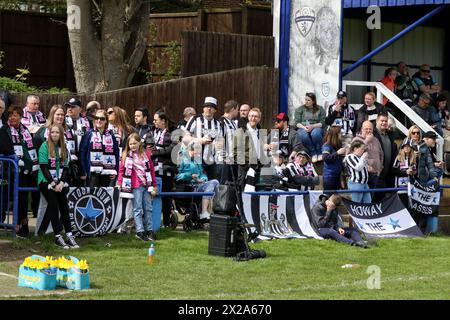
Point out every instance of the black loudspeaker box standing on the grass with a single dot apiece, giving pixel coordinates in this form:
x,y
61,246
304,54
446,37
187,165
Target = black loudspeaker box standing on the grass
x,y
222,235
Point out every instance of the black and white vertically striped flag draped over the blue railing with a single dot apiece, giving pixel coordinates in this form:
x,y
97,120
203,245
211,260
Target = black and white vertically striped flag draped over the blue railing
x,y
277,216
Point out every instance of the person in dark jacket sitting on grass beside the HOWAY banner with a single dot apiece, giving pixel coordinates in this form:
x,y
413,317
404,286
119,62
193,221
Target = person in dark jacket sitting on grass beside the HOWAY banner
x,y
327,220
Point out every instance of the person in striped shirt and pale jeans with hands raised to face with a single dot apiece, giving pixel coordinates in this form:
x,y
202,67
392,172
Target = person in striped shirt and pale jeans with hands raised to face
x,y
358,171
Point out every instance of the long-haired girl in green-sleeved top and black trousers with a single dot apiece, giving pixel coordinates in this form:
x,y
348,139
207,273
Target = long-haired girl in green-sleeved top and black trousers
x,y
52,181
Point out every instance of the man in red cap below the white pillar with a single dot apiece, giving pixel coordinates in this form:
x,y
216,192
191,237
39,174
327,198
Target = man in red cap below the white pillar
x,y
284,138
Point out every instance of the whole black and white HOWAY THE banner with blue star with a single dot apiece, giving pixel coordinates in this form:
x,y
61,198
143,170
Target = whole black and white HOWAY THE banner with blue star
x,y
386,219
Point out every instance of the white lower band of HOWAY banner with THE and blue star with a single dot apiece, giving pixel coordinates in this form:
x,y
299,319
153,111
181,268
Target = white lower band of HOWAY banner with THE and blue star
x,y
396,222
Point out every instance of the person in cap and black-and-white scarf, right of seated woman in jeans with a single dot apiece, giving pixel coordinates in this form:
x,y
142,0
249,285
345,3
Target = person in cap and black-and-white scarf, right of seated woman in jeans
x,y
342,114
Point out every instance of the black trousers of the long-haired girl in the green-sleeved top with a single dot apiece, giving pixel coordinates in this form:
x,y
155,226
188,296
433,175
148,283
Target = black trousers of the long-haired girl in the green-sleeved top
x,y
56,206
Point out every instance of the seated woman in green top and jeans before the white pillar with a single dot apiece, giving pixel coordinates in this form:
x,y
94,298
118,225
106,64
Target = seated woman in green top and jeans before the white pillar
x,y
310,121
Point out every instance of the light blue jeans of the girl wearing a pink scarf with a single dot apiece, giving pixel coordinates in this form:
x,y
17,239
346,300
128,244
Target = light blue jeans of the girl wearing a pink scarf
x,y
142,209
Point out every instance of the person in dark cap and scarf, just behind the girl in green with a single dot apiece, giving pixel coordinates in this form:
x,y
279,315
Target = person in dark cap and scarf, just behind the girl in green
x,y
78,125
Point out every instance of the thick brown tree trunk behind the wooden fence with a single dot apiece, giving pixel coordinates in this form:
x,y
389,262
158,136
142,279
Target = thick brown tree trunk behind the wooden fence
x,y
105,57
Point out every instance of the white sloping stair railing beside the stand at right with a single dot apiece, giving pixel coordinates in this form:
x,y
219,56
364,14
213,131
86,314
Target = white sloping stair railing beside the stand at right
x,y
383,91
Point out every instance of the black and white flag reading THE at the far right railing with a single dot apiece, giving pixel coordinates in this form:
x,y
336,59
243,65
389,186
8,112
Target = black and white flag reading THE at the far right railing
x,y
423,199
